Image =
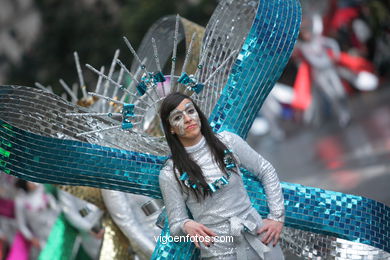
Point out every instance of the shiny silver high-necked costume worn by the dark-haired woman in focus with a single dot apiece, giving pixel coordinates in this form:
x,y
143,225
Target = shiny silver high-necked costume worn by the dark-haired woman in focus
x,y
229,208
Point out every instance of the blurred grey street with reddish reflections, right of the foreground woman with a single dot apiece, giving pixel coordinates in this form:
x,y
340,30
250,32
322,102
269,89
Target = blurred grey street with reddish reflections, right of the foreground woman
x,y
353,160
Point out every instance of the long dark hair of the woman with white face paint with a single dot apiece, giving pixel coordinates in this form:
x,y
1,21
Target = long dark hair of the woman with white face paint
x,y
181,159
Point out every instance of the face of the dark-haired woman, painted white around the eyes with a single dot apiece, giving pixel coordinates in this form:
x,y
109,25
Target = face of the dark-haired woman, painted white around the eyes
x,y
185,121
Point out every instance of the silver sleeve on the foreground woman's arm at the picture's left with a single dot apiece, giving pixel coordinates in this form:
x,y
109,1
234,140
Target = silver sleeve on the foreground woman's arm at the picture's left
x,y
174,200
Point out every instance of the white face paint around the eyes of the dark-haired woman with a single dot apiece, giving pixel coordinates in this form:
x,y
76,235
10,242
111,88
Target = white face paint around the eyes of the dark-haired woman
x,y
176,117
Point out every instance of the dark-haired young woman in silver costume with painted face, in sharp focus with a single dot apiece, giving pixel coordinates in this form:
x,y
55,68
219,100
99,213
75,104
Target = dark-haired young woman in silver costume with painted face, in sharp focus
x,y
203,176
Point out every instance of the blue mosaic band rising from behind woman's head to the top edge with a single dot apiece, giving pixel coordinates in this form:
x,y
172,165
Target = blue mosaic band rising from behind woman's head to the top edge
x,y
259,65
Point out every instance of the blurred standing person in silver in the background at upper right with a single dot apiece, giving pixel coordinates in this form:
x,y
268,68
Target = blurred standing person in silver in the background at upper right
x,y
314,49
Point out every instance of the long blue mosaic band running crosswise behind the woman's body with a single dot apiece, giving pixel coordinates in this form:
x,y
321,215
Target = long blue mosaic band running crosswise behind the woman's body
x,y
49,160
